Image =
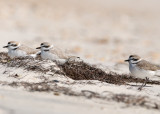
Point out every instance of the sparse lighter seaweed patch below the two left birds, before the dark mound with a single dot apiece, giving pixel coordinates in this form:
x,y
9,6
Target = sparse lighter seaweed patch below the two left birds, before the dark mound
x,y
28,63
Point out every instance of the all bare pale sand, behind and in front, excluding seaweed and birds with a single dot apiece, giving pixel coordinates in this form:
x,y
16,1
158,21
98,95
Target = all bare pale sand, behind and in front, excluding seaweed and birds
x,y
103,31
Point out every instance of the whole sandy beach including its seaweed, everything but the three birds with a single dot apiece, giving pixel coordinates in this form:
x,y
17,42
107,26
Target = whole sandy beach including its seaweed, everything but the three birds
x,y
103,33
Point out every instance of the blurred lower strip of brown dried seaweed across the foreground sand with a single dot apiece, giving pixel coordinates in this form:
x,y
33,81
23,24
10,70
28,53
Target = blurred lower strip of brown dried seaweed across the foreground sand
x,y
128,100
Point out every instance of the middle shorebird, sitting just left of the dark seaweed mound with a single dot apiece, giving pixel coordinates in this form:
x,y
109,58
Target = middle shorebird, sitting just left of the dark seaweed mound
x,y
50,52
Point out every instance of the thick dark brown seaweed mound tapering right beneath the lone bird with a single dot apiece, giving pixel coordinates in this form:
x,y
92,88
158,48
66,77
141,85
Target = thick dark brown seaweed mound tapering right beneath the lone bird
x,y
84,71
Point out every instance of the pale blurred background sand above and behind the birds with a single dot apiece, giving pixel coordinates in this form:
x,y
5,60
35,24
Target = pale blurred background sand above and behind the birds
x,y
103,30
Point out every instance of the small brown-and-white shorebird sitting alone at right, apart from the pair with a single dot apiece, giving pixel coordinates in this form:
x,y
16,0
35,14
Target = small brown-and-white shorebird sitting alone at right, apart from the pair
x,y
141,68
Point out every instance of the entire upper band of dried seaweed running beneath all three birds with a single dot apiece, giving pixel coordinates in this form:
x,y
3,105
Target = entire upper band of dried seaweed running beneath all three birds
x,y
77,70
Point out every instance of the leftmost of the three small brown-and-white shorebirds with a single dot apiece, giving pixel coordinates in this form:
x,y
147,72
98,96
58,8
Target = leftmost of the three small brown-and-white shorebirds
x,y
16,49
